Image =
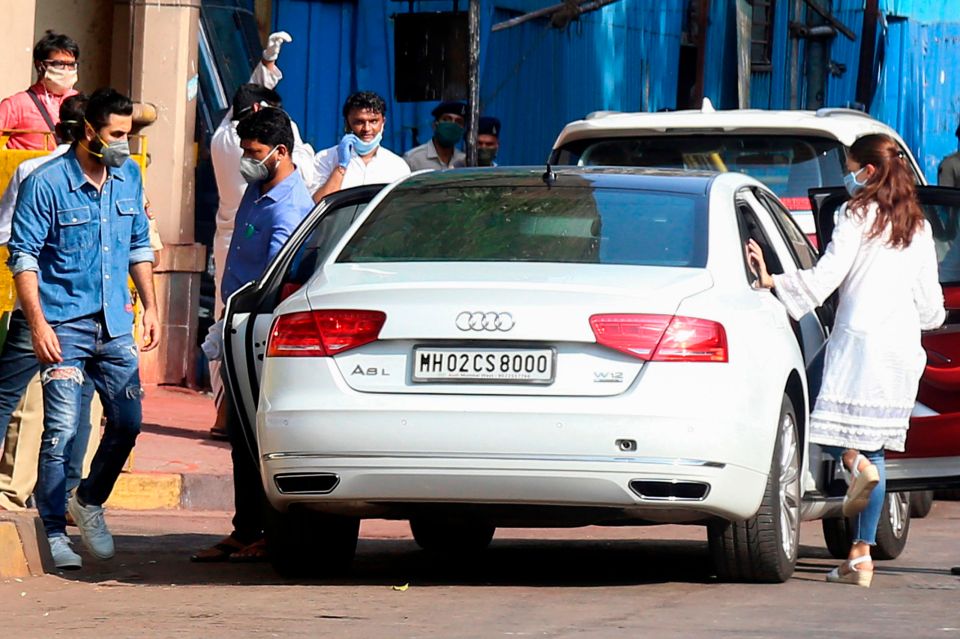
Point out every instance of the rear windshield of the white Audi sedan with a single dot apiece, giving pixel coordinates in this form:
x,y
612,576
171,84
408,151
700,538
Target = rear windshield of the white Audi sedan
x,y
534,224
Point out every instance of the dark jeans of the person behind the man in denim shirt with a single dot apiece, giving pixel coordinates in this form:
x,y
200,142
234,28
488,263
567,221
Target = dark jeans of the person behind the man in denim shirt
x,y
18,365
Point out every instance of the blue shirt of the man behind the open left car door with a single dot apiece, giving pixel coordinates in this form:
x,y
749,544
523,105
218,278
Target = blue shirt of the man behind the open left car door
x,y
263,225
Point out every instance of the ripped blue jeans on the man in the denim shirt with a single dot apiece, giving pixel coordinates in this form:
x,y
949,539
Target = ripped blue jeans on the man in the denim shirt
x,y
113,365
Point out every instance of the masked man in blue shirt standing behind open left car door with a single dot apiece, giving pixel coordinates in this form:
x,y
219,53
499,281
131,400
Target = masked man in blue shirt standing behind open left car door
x,y
274,204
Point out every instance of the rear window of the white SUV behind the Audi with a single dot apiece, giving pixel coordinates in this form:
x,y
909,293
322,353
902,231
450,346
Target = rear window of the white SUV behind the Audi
x,y
789,165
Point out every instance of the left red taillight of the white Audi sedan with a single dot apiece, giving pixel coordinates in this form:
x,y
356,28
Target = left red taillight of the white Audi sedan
x,y
323,333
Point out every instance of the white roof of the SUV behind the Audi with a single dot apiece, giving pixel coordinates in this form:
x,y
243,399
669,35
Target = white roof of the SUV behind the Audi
x,y
843,125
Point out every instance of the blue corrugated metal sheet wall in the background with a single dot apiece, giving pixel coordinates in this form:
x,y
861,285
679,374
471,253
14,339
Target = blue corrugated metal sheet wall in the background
x,y
622,57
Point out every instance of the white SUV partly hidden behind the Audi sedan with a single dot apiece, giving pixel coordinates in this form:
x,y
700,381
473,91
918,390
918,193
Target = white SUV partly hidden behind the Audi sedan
x,y
789,151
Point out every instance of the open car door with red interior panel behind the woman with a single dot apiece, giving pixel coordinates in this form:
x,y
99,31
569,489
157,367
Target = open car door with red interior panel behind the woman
x,y
932,456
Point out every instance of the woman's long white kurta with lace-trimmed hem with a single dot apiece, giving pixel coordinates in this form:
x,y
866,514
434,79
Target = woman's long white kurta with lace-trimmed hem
x,y
874,358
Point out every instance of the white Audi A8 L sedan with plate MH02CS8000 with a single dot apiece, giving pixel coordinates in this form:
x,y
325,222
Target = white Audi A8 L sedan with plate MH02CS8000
x,y
513,347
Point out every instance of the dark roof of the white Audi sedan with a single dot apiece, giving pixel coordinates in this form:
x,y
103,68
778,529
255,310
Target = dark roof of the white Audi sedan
x,y
648,179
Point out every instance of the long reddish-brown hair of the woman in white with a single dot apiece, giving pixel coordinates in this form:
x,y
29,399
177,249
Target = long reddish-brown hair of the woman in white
x,y
892,187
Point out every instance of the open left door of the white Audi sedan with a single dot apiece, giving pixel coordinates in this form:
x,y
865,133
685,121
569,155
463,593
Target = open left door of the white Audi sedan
x,y
249,311
